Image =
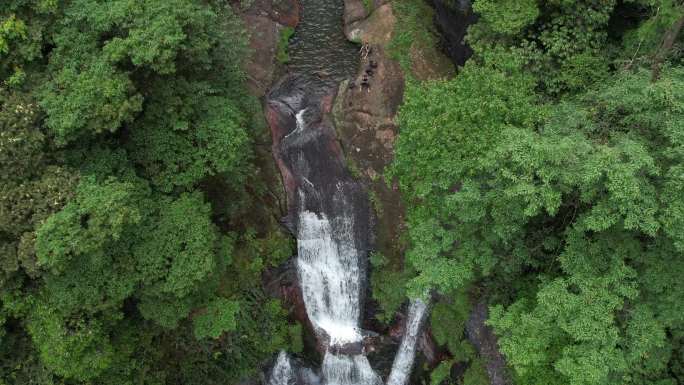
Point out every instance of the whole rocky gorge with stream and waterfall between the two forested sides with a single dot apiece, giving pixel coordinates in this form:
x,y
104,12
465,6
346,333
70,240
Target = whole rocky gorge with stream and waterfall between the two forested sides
x,y
333,128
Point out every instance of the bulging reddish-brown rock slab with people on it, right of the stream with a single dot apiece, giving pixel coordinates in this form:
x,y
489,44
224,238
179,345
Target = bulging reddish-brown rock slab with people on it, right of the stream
x,y
365,114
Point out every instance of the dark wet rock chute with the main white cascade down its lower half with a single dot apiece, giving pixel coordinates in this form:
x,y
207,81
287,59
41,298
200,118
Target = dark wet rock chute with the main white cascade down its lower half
x,y
327,210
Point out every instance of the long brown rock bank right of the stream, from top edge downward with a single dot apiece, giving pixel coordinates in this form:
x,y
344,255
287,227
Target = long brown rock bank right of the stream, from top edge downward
x,y
365,111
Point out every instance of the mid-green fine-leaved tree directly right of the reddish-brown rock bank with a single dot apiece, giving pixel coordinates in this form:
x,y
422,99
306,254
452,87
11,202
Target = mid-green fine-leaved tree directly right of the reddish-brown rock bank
x,y
448,128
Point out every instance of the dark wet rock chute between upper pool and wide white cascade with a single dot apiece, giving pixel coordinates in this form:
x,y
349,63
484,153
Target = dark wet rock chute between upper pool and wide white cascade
x,y
310,157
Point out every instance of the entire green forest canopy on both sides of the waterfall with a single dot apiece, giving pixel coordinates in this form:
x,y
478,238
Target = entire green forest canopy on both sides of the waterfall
x,y
548,176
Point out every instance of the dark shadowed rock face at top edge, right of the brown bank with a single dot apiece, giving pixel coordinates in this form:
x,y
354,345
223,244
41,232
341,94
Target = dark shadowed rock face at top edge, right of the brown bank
x,y
453,21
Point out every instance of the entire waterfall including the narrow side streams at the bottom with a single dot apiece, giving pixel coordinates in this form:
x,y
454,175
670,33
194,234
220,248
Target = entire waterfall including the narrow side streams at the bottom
x,y
328,213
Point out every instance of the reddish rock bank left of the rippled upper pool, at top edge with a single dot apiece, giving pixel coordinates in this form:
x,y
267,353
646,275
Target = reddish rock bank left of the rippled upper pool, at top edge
x,y
264,20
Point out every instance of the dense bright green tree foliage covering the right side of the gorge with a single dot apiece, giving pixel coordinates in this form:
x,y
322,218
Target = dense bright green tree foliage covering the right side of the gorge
x,y
548,174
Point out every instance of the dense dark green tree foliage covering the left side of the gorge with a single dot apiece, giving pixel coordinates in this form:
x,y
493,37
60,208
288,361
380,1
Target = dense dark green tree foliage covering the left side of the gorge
x,y
116,118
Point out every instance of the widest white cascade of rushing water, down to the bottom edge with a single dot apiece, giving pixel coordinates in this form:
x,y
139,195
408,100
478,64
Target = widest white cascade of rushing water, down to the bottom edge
x,y
330,279
